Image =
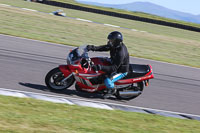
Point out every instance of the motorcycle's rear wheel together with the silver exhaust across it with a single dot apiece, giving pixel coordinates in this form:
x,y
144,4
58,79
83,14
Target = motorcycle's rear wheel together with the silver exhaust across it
x,y
130,92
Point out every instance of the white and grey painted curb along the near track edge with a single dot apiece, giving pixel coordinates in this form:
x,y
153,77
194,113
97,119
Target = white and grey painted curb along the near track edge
x,y
95,104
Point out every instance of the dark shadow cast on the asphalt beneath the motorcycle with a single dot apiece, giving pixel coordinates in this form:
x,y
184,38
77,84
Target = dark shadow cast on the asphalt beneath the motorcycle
x,y
66,92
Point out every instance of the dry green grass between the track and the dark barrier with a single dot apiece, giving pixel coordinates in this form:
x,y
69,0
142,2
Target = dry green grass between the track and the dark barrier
x,y
159,43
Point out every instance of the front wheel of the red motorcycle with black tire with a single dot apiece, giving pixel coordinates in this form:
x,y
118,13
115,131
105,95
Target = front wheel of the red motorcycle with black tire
x,y
55,80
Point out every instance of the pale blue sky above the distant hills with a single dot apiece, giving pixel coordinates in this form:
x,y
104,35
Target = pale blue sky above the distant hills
x,y
188,6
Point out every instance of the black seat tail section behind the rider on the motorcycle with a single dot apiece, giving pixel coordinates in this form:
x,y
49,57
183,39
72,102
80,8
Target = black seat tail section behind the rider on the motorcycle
x,y
137,70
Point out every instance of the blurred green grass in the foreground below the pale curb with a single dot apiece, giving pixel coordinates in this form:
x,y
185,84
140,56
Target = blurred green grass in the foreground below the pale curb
x,y
23,115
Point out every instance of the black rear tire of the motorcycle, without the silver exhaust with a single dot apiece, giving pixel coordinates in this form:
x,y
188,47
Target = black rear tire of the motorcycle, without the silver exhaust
x,y
136,87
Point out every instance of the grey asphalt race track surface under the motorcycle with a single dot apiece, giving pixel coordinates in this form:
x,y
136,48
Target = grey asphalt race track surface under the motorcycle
x,y
24,64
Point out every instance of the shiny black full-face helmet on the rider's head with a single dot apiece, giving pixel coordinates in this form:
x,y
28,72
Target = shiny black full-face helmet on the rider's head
x,y
116,37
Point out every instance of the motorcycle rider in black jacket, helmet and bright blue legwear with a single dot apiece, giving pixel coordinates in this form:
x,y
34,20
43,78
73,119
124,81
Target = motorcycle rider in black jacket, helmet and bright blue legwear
x,y
119,60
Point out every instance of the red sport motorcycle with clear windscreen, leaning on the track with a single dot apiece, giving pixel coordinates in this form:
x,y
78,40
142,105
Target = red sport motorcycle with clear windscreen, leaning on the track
x,y
79,70
